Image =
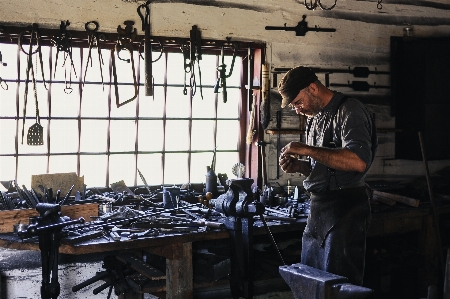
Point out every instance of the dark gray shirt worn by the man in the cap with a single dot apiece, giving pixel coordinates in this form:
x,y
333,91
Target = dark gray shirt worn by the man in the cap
x,y
352,129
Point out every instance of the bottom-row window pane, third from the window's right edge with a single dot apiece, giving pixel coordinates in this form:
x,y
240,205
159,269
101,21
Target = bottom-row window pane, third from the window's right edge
x,y
176,169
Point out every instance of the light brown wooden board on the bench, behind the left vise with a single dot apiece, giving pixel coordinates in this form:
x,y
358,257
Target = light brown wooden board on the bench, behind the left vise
x,y
11,217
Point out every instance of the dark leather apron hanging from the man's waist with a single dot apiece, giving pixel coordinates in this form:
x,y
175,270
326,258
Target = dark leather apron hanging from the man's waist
x,y
334,239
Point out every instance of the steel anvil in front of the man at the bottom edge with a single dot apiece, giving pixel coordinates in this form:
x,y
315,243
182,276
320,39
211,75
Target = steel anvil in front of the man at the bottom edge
x,y
311,283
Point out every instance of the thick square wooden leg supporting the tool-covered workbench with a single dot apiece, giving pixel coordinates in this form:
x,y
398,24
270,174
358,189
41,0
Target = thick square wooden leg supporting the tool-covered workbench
x,y
179,275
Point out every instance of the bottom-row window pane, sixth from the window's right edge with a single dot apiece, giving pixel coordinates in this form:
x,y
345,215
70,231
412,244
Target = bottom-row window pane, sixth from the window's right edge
x,y
93,168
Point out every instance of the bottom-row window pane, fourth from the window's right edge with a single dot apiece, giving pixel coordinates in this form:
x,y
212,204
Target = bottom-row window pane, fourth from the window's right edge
x,y
150,166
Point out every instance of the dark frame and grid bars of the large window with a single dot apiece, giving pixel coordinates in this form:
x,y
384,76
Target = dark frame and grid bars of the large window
x,y
171,45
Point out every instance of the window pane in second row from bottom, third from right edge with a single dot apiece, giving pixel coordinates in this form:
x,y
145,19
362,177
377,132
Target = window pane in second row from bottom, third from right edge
x,y
177,135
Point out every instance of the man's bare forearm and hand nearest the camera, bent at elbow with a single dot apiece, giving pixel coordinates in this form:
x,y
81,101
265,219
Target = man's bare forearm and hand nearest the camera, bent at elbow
x,y
339,159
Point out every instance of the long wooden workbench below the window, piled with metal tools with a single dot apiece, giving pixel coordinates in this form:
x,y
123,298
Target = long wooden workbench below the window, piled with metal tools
x,y
176,248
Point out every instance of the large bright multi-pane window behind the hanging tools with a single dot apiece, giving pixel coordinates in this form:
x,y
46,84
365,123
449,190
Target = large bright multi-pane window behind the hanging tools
x,y
170,136
